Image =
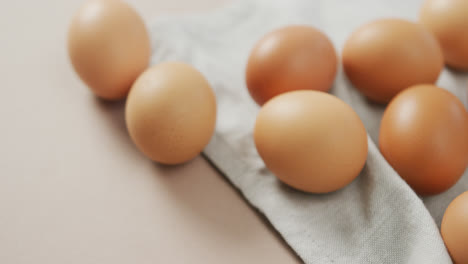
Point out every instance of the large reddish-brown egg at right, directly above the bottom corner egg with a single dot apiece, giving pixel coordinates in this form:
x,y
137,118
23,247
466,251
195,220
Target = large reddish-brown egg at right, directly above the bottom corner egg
x,y
424,137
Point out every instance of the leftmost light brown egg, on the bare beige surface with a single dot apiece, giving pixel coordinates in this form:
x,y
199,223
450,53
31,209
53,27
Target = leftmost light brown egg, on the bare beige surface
x,y
108,46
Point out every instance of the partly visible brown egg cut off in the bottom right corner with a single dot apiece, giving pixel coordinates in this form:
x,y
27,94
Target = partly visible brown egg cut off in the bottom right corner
x,y
454,229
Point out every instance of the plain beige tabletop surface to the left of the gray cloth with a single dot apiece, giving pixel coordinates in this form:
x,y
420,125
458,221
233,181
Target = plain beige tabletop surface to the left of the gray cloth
x,y
74,189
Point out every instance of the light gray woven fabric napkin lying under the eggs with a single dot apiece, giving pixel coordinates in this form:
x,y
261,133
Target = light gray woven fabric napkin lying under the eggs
x,y
377,218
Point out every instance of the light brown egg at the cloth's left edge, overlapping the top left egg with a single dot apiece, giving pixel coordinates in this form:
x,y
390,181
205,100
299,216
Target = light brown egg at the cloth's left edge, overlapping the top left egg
x,y
171,112
